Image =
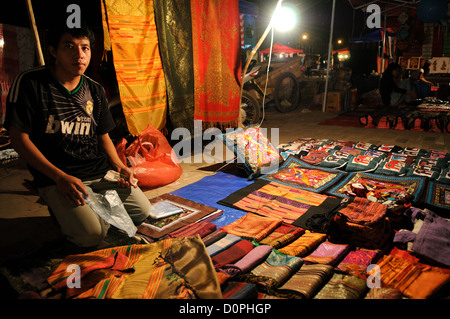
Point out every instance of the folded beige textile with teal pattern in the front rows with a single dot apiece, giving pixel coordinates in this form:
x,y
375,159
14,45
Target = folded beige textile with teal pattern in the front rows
x,y
273,272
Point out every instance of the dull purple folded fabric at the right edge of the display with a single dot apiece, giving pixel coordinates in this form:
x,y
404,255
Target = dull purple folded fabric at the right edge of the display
x,y
433,239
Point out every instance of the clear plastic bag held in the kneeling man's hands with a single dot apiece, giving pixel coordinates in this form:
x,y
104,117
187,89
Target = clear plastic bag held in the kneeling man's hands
x,y
110,207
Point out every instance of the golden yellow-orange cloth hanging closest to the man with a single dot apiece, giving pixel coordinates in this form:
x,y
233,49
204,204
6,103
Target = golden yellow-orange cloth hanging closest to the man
x,y
130,32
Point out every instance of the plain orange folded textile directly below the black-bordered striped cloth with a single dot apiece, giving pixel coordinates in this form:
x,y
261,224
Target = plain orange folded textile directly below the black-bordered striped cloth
x,y
252,226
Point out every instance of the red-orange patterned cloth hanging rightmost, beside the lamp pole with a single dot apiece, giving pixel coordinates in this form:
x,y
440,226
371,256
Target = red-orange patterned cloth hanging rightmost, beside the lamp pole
x,y
217,66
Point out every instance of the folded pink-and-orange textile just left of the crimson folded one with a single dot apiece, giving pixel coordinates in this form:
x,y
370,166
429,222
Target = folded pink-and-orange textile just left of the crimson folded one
x,y
327,253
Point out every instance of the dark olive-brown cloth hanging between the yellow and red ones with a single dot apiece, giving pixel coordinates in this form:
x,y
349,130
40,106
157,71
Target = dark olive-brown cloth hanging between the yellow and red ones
x,y
173,22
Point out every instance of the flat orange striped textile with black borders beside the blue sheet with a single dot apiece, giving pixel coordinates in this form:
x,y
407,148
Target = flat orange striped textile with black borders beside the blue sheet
x,y
274,200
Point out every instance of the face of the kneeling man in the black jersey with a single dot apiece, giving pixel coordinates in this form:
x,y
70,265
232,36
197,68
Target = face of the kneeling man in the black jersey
x,y
72,55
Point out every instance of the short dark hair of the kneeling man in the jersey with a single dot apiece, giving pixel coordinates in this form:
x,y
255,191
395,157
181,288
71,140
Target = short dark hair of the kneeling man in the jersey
x,y
59,28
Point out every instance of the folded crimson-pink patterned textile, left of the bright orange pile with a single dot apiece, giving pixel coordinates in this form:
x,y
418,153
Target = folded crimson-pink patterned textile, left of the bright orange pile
x,y
357,261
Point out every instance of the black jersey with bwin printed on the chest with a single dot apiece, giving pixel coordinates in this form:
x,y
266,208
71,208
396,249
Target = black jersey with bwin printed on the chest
x,y
63,125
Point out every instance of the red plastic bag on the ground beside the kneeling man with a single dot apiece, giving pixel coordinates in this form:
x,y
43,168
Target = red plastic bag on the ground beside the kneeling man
x,y
151,158
